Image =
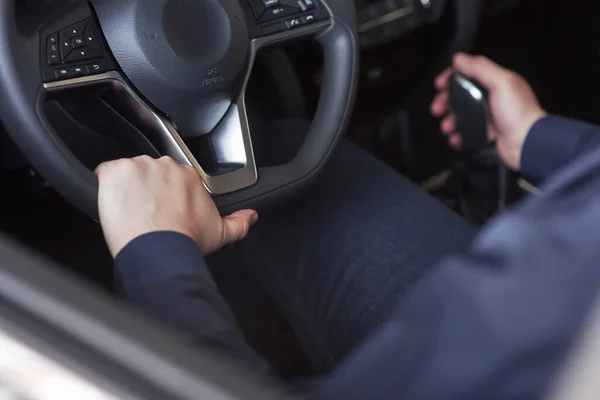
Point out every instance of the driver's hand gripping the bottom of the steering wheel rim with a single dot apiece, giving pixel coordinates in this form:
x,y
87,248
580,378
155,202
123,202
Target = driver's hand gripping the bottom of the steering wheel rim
x,y
142,195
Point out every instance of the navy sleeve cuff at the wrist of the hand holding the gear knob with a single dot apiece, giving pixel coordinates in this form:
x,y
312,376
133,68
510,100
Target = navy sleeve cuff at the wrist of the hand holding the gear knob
x,y
552,143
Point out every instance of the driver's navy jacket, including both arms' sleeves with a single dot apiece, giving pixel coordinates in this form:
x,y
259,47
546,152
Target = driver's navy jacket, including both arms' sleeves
x,y
495,323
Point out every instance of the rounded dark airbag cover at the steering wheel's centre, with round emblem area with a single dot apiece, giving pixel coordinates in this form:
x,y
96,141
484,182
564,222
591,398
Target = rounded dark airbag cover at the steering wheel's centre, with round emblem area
x,y
187,57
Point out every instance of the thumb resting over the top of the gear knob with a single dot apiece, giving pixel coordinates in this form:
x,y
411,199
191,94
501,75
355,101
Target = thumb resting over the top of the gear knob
x,y
480,68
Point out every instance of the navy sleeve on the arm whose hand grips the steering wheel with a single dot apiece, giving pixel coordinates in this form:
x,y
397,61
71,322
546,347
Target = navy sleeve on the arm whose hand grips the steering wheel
x,y
165,274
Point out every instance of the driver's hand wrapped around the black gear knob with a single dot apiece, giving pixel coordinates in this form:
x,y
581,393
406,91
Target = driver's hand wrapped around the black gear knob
x,y
514,107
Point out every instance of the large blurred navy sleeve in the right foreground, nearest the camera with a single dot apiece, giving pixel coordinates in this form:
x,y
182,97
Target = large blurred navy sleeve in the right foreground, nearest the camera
x,y
495,323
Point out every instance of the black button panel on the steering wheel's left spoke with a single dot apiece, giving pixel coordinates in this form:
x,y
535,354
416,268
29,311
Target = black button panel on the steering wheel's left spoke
x,y
75,51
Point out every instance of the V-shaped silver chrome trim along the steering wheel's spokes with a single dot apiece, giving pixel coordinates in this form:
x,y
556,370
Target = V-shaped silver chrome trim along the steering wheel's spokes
x,y
231,139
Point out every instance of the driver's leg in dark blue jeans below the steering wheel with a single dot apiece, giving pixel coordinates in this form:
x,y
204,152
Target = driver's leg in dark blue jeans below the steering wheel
x,y
338,260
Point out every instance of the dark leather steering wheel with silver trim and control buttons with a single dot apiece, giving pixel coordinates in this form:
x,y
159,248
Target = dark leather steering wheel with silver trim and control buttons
x,y
176,70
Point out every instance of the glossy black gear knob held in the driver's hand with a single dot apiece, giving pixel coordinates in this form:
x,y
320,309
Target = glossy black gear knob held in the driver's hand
x,y
469,103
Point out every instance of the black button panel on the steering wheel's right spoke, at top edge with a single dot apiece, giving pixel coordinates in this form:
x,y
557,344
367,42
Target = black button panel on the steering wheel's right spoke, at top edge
x,y
274,16
